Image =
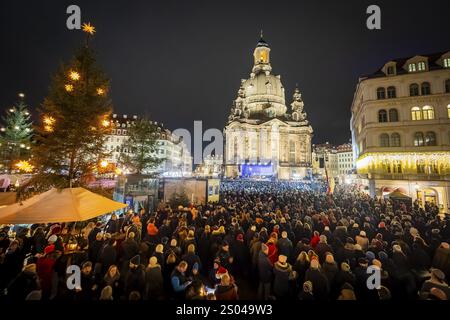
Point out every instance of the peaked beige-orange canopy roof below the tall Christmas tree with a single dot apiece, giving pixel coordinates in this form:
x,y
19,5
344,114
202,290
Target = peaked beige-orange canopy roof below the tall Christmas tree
x,y
64,205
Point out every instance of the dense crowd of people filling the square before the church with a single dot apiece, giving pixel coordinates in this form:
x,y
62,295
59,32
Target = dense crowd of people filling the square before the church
x,y
262,240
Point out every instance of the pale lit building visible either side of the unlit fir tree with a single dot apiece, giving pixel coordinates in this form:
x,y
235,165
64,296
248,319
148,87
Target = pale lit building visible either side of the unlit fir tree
x,y
177,161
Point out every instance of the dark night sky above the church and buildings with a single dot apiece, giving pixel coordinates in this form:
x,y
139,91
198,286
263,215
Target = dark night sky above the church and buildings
x,y
180,61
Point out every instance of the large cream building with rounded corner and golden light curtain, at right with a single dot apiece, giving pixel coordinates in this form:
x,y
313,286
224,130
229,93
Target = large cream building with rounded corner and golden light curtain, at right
x,y
401,128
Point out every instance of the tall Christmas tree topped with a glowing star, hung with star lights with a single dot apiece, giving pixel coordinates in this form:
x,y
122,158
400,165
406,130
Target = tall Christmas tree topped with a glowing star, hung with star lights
x,y
71,134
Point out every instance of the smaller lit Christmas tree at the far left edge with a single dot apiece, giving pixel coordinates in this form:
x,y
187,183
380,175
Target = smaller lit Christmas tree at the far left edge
x,y
15,135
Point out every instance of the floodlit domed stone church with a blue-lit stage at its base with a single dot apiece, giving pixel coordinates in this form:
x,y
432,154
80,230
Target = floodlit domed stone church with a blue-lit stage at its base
x,y
263,137
